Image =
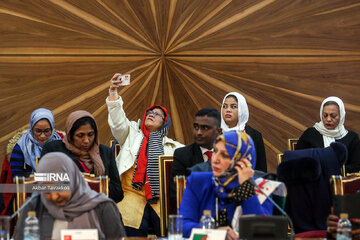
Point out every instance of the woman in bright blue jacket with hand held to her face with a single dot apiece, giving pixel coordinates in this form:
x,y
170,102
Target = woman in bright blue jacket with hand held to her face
x,y
227,190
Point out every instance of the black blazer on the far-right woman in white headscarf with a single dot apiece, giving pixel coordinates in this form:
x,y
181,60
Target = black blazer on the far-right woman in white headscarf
x,y
311,138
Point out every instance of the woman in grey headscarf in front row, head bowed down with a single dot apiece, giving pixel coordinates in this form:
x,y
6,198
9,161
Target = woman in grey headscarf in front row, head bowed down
x,y
79,208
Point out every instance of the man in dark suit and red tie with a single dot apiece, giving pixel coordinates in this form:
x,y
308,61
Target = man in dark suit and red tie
x,y
206,130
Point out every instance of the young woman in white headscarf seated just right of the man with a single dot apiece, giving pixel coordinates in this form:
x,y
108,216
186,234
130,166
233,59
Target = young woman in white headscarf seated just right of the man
x,y
234,116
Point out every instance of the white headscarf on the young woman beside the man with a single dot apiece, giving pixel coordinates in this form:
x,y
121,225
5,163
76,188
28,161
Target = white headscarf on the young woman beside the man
x,y
243,113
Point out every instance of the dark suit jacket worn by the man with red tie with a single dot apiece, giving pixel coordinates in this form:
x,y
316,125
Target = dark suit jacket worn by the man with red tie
x,y
184,157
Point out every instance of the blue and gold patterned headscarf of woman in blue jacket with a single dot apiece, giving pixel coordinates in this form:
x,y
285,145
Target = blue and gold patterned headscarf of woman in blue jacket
x,y
238,145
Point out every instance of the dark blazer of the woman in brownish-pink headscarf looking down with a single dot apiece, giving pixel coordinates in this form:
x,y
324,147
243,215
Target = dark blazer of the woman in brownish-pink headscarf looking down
x,y
107,156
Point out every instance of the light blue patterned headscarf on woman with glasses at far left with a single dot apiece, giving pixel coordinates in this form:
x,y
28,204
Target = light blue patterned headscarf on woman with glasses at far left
x,y
30,147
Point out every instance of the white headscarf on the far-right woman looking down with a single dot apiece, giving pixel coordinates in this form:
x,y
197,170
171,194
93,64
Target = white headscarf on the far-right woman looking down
x,y
339,131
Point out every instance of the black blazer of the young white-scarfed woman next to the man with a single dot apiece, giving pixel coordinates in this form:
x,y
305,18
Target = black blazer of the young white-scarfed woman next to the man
x,y
259,147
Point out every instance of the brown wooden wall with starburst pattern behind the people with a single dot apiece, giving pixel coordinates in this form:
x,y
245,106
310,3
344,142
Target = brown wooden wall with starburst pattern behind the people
x,y
283,56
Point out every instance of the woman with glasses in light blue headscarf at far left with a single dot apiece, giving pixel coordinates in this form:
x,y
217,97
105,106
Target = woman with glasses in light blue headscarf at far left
x,y
30,144
